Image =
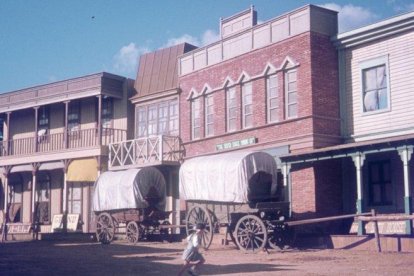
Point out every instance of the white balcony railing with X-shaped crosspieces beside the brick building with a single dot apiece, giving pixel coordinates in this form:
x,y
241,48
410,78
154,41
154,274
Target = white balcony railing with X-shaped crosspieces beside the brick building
x,y
146,151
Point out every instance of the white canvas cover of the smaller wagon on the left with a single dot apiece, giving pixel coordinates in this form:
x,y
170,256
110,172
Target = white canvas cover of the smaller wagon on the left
x,y
129,189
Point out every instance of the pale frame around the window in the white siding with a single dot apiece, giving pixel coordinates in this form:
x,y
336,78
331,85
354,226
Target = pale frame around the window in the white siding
x,y
374,62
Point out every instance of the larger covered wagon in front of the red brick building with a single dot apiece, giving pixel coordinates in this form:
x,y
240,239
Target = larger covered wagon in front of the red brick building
x,y
238,191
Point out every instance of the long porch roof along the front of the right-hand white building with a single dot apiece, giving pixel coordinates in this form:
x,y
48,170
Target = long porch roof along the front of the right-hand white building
x,y
351,149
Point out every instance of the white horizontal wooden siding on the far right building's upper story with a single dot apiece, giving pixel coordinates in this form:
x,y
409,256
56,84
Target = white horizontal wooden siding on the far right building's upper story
x,y
400,118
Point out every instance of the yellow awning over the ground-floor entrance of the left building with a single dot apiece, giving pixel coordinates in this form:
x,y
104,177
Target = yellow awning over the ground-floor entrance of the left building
x,y
83,170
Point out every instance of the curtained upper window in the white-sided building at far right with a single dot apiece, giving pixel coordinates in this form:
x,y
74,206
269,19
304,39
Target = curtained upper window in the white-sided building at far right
x,y
375,92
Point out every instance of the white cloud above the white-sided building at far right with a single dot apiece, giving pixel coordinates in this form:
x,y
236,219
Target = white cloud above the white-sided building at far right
x,y
351,17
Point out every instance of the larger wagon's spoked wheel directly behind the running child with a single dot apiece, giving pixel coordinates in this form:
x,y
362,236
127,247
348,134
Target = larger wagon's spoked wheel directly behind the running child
x,y
199,214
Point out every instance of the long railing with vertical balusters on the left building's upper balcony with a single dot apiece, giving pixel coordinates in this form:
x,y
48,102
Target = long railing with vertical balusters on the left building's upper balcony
x,y
57,141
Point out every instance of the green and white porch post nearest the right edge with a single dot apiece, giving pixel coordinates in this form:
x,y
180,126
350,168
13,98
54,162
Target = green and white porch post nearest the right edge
x,y
405,154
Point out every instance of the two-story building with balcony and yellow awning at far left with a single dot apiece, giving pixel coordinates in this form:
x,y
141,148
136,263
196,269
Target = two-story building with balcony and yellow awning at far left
x,y
54,146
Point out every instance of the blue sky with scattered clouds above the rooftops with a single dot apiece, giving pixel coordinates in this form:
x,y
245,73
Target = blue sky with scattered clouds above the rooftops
x,y
46,41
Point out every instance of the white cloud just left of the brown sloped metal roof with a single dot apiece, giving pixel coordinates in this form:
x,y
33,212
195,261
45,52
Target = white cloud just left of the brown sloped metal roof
x,y
126,60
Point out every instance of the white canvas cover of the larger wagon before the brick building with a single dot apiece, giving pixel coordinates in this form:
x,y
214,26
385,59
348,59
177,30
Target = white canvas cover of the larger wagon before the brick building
x,y
224,177
